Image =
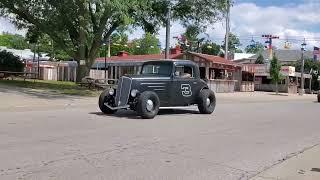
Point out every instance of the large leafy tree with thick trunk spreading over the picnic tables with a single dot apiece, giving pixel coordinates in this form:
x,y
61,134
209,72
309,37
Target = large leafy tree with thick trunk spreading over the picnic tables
x,y
80,27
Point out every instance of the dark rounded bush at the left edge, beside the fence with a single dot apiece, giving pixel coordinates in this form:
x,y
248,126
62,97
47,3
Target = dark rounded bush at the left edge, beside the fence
x,y
10,62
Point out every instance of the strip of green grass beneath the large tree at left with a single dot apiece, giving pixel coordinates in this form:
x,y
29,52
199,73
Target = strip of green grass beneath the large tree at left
x,y
67,88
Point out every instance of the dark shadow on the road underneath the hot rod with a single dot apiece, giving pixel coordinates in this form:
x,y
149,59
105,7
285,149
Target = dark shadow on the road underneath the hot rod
x,y
133,115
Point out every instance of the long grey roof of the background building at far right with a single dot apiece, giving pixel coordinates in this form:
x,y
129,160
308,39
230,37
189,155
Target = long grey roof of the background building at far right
x,y
286,55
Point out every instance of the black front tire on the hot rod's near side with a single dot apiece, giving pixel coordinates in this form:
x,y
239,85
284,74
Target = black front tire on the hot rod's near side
x,y
142,105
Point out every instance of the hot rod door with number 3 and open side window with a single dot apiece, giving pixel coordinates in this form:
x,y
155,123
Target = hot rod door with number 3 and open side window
x,y
183,86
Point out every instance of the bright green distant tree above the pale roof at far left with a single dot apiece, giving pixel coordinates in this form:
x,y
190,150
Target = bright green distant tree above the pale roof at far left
x,y
13,41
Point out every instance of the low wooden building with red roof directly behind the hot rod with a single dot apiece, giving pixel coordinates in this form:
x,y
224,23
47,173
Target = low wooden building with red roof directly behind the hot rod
x,y
221,75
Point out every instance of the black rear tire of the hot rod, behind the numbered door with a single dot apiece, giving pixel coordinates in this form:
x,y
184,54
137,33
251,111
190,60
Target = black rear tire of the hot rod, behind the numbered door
x,y
202,101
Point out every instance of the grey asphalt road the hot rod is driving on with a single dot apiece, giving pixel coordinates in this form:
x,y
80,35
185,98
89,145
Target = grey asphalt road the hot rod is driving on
x,y
64,140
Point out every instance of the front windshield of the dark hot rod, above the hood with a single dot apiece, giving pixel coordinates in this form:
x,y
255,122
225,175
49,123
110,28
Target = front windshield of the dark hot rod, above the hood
x,y
159,69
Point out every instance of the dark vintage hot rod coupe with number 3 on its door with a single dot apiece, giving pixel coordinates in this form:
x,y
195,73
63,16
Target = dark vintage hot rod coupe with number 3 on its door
x,y
163,83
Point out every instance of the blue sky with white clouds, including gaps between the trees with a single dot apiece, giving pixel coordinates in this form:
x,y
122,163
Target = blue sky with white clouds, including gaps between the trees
x,y
291,20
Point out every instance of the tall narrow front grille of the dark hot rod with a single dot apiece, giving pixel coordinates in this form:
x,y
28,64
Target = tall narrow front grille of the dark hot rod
x,y
123,91
